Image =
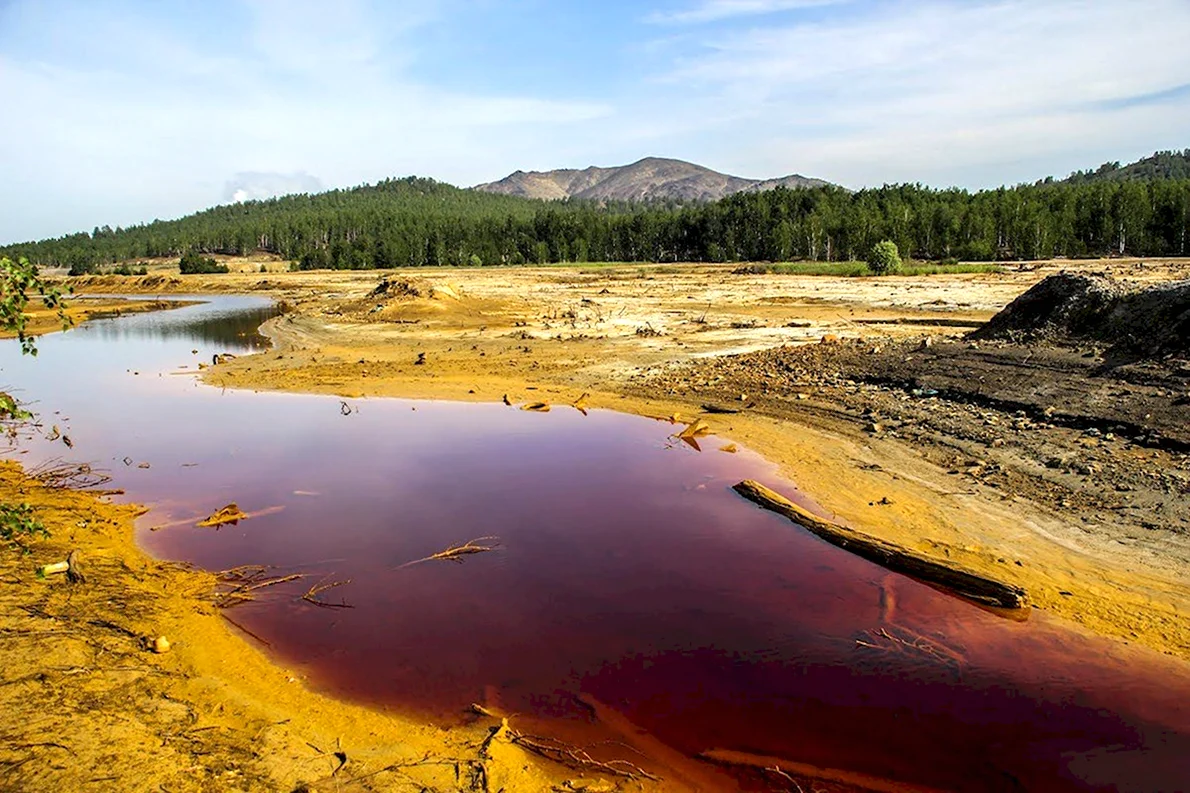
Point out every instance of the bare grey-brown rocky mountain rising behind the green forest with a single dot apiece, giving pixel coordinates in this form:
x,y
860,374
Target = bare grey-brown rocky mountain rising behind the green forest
x,y
653,178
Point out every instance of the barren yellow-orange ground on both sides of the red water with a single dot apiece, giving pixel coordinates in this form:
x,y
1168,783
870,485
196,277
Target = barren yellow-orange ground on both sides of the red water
x,y
1043,466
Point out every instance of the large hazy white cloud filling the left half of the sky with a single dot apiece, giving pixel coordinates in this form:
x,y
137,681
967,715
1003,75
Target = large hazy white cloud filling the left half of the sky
x,y
152,123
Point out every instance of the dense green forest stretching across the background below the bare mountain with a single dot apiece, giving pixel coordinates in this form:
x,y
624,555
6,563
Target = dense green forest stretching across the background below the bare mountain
x,y
419,222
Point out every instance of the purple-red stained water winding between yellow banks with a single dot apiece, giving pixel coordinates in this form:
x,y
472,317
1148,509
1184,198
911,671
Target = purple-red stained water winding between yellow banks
x,y
627,576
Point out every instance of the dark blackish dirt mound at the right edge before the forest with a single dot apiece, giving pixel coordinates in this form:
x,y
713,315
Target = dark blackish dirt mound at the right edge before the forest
x,y
1069,307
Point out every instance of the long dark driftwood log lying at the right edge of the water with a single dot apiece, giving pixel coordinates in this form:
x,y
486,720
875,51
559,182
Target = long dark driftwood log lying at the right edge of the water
x,y
938,573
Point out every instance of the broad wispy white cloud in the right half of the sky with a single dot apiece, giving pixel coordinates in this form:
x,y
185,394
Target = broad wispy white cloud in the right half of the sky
x,y
942,91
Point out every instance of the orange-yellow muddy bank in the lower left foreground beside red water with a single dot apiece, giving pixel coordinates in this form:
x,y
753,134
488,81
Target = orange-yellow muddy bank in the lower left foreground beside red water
x,y
82,679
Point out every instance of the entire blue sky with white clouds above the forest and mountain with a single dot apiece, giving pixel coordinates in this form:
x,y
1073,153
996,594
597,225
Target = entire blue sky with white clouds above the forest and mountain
x,y
117,114
